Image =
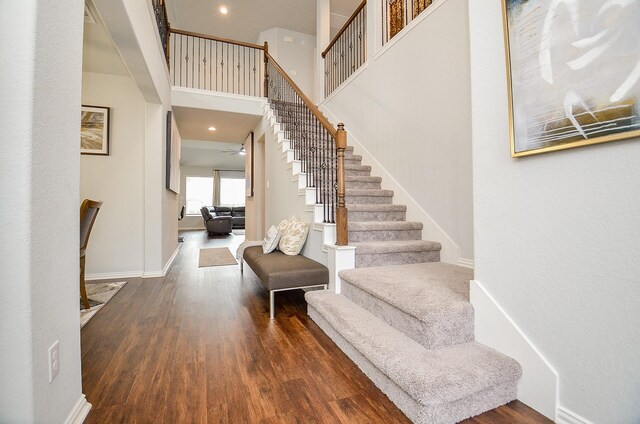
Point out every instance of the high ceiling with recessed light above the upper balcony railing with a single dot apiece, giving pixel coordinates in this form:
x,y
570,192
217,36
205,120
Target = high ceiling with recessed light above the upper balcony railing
x,y
247,18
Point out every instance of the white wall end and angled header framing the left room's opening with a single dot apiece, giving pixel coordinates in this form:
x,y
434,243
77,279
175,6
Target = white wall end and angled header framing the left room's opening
x,y
133,29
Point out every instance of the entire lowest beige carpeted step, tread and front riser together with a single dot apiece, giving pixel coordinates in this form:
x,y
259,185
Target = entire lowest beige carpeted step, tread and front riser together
x,y
432,386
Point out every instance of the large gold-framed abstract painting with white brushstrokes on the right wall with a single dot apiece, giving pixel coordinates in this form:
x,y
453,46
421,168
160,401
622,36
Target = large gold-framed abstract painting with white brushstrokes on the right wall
x,y
574,72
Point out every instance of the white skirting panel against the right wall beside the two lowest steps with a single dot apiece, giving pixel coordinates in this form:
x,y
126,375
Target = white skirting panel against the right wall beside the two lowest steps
x,y
538,386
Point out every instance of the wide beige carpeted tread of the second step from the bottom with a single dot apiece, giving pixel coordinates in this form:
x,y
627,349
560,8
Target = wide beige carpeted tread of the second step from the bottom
x,y
421,290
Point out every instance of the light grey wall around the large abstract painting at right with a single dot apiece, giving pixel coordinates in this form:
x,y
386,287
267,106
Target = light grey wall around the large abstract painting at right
x,y
556,241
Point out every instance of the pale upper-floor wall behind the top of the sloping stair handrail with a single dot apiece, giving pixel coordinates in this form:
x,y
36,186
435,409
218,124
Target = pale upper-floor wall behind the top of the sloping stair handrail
x,y
296,57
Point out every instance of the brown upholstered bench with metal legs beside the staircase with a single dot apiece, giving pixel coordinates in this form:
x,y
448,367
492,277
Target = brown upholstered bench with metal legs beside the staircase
x,y
280,272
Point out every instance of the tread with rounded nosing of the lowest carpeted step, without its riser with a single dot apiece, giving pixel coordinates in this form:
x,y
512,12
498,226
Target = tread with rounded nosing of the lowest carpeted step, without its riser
x,y
429,376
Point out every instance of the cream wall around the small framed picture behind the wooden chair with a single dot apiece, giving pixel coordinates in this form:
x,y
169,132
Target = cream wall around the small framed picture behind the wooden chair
x,y
116,245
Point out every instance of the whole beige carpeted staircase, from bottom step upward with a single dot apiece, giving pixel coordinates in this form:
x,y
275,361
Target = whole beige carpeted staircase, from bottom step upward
x,y
405,318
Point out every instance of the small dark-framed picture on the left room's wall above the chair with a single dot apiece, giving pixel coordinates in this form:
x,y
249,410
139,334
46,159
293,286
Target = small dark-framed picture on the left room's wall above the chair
x,y
94,130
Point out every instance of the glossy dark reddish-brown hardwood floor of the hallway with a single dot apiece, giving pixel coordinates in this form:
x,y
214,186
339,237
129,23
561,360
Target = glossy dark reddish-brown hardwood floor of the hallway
x,y
197,346
